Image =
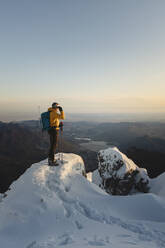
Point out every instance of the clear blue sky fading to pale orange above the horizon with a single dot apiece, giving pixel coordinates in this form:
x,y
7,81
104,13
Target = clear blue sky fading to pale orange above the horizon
x,y
88,55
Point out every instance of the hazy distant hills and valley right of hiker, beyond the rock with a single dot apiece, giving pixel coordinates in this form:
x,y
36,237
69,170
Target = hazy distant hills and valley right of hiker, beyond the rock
x,y
143,142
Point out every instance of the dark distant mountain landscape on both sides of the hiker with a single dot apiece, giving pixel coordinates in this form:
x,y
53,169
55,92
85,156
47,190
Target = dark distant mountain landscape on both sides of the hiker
x,y
23,143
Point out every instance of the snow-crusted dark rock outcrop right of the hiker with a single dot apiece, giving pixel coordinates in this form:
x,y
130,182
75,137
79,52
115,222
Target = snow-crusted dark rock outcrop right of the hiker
x,y
119,175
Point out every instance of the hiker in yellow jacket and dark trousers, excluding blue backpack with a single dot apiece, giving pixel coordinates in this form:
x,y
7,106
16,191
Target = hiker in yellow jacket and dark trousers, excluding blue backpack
x,y
56,114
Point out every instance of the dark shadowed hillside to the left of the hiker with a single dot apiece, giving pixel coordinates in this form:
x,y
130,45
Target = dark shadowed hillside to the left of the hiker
x,y
19,148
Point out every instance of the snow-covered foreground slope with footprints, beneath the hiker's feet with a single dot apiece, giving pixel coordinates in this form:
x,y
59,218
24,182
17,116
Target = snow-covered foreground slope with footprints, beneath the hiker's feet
x,y
51,207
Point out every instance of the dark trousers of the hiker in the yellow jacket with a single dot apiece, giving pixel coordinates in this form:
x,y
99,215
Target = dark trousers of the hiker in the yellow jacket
x,y
53,133
